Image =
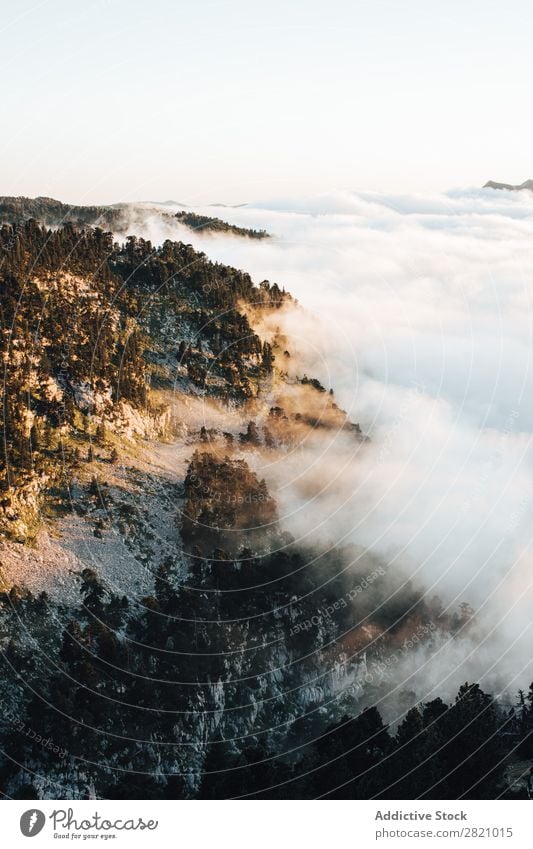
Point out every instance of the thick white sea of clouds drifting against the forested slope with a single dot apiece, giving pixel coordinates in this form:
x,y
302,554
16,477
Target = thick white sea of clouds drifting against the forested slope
x,y
417,310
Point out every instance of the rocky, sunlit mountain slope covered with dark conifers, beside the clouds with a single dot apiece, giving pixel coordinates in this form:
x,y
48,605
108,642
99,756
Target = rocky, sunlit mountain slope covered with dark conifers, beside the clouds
x,y
162,632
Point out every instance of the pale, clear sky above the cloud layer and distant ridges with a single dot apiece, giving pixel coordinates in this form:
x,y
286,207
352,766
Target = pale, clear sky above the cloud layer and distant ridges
x,y
236,102
